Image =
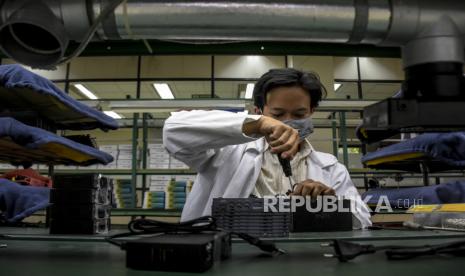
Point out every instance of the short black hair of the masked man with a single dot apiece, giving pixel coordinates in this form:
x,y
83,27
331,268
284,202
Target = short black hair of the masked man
x,y
288,77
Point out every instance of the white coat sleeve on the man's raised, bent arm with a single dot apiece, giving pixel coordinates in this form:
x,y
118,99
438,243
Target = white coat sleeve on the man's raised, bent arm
x,y
194,137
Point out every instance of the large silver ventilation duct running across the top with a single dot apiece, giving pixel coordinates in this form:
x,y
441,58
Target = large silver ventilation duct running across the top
x,y
437,26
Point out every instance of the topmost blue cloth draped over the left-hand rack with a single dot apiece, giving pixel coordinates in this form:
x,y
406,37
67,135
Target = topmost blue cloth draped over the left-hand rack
x,y
85,117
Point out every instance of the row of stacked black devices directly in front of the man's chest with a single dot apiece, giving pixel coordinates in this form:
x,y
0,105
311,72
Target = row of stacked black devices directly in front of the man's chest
x,y
247,215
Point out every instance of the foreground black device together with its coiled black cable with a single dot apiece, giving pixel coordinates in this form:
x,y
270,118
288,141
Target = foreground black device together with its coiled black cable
x,y
196,244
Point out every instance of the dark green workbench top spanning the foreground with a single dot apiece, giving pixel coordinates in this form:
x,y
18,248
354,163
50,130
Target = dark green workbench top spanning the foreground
x,y
32,251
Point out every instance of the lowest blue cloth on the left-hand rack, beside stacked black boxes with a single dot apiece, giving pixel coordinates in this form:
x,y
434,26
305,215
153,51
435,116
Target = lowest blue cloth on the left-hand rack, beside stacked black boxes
x,y
18,202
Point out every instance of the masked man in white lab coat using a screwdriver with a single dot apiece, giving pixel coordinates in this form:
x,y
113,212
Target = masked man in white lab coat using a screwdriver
x,y
235,155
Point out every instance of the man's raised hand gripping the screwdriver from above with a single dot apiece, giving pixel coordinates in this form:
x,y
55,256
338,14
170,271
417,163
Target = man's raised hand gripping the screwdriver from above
x,y
283,139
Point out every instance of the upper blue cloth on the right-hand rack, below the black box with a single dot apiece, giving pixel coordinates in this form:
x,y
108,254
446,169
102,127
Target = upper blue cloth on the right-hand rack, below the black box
x,y
447,148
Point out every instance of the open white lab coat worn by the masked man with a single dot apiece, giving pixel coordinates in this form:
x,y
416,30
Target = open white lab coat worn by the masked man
x,y
228,162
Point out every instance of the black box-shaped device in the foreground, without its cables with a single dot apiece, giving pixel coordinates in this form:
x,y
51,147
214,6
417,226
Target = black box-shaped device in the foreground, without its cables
x,y
186,252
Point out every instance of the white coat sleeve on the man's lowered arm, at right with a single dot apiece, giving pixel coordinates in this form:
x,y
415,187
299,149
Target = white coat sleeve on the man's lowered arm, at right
x,y
346,188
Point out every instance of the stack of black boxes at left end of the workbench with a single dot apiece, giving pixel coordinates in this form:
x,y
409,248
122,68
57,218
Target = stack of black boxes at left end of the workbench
x,y
81,204
